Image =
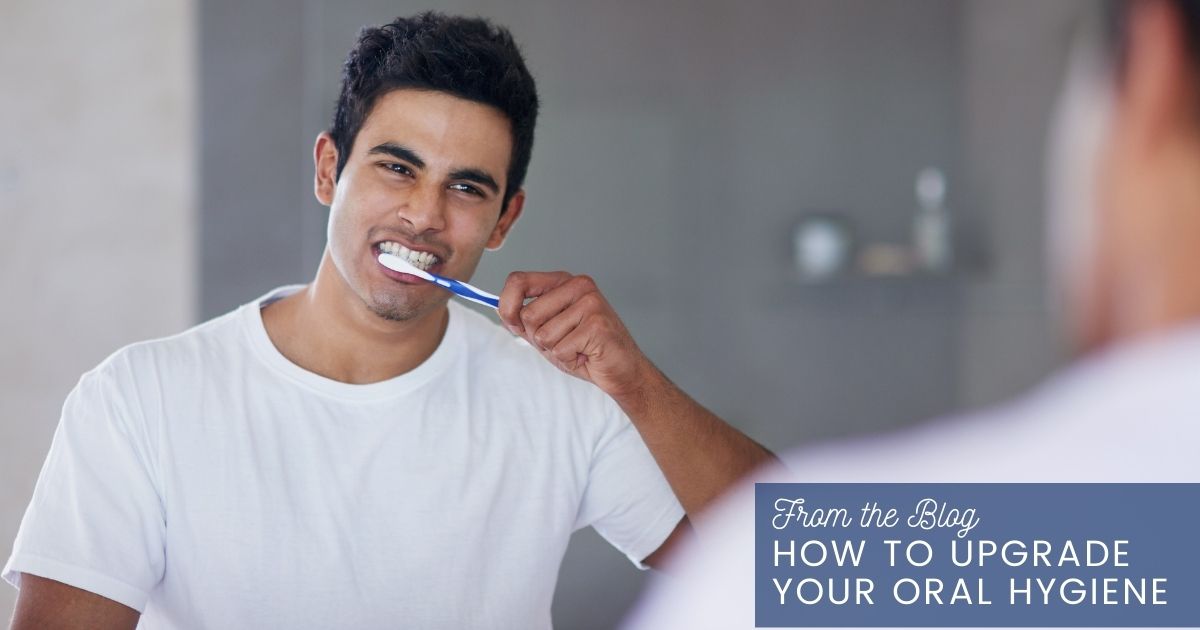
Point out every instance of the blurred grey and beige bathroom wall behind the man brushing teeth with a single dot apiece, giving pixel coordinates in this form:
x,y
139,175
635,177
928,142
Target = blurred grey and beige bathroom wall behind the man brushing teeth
x,y
158,172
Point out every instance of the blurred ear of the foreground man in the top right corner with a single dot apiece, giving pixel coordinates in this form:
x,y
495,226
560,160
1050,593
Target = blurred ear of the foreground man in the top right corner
x,y
1155,94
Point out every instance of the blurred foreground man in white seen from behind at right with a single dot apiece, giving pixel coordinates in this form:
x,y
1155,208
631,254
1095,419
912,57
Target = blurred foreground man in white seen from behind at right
x,y
1126,229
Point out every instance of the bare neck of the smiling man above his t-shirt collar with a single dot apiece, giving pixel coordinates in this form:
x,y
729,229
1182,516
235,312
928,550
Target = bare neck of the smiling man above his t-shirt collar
x,y
326,329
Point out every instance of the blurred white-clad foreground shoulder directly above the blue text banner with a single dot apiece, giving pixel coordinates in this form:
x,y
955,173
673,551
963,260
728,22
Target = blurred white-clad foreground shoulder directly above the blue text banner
x,y
1125,416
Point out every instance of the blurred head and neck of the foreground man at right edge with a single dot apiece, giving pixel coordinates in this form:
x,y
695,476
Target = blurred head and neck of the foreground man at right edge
x,y
1125,175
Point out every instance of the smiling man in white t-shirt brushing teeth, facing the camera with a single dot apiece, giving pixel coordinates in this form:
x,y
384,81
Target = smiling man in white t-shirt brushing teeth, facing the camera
x,y
358,453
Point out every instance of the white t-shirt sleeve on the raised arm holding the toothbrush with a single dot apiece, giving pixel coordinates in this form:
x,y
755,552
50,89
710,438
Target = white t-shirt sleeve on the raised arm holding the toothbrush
x,y
628,500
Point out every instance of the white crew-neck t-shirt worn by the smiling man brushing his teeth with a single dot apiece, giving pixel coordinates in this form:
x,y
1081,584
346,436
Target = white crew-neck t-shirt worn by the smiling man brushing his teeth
x,y
209,483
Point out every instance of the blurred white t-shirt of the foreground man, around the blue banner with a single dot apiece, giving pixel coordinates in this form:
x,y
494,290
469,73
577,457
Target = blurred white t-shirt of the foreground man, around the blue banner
x,y
1130,416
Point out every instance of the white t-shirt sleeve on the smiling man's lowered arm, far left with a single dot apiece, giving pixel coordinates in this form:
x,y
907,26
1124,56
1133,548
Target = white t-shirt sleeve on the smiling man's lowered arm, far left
x,y
97,519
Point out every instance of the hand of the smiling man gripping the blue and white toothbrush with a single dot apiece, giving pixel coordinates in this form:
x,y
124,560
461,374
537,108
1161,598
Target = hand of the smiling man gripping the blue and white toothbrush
x,y
575,328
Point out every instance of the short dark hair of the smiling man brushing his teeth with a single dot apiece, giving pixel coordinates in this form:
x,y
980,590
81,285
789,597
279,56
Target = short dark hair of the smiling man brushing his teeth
x,y
469,58
